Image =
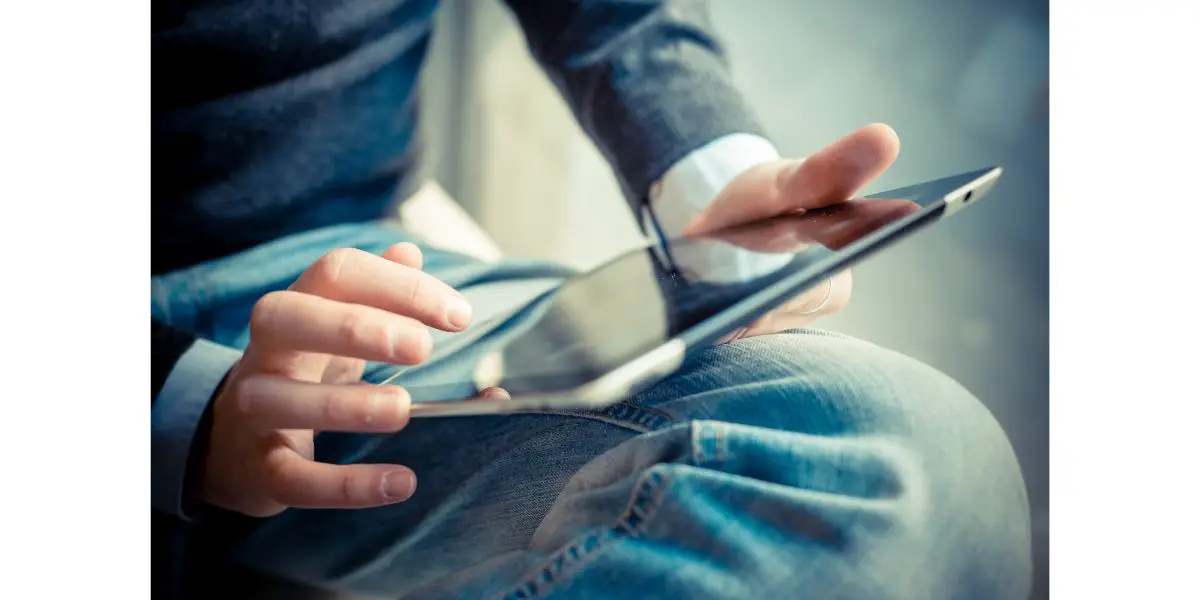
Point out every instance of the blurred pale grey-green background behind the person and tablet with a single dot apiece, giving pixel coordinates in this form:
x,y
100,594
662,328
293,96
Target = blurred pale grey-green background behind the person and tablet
x,y
965,86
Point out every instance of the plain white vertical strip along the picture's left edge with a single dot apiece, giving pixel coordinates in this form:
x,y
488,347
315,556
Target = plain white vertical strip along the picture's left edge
x,y
75,232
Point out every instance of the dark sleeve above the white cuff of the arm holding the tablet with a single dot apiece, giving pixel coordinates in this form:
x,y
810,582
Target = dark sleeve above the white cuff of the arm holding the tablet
x,y
647,81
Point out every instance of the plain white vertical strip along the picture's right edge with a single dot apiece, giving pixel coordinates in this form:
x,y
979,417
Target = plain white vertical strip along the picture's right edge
x,y
1125,141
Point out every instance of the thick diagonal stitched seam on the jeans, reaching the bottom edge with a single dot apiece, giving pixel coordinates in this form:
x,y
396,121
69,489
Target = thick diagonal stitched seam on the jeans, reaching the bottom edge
x,y
643,508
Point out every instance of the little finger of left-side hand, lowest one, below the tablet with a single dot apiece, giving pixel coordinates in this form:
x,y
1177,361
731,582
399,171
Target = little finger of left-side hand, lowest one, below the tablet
x,y
297,482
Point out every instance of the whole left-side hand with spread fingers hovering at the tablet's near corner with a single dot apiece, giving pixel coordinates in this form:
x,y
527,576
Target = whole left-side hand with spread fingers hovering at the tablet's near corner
x,y
303,373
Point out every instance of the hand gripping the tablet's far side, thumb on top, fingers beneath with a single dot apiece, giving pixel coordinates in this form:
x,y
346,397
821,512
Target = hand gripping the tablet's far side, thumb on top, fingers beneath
x,y
833,175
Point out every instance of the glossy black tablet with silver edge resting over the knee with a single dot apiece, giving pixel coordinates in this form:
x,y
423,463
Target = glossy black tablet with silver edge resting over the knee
x,y
607,334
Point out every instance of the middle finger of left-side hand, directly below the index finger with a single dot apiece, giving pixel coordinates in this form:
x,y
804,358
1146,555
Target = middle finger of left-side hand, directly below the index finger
x,y
297,322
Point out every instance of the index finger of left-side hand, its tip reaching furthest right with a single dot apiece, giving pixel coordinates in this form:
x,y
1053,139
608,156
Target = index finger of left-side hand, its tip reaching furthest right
x,y
356,277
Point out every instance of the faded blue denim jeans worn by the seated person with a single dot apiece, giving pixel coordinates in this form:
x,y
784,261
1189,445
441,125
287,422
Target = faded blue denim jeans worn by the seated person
x,y
799,465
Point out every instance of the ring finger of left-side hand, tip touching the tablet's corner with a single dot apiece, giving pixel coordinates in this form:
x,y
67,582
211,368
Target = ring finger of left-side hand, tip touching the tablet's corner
x,y
272,403
